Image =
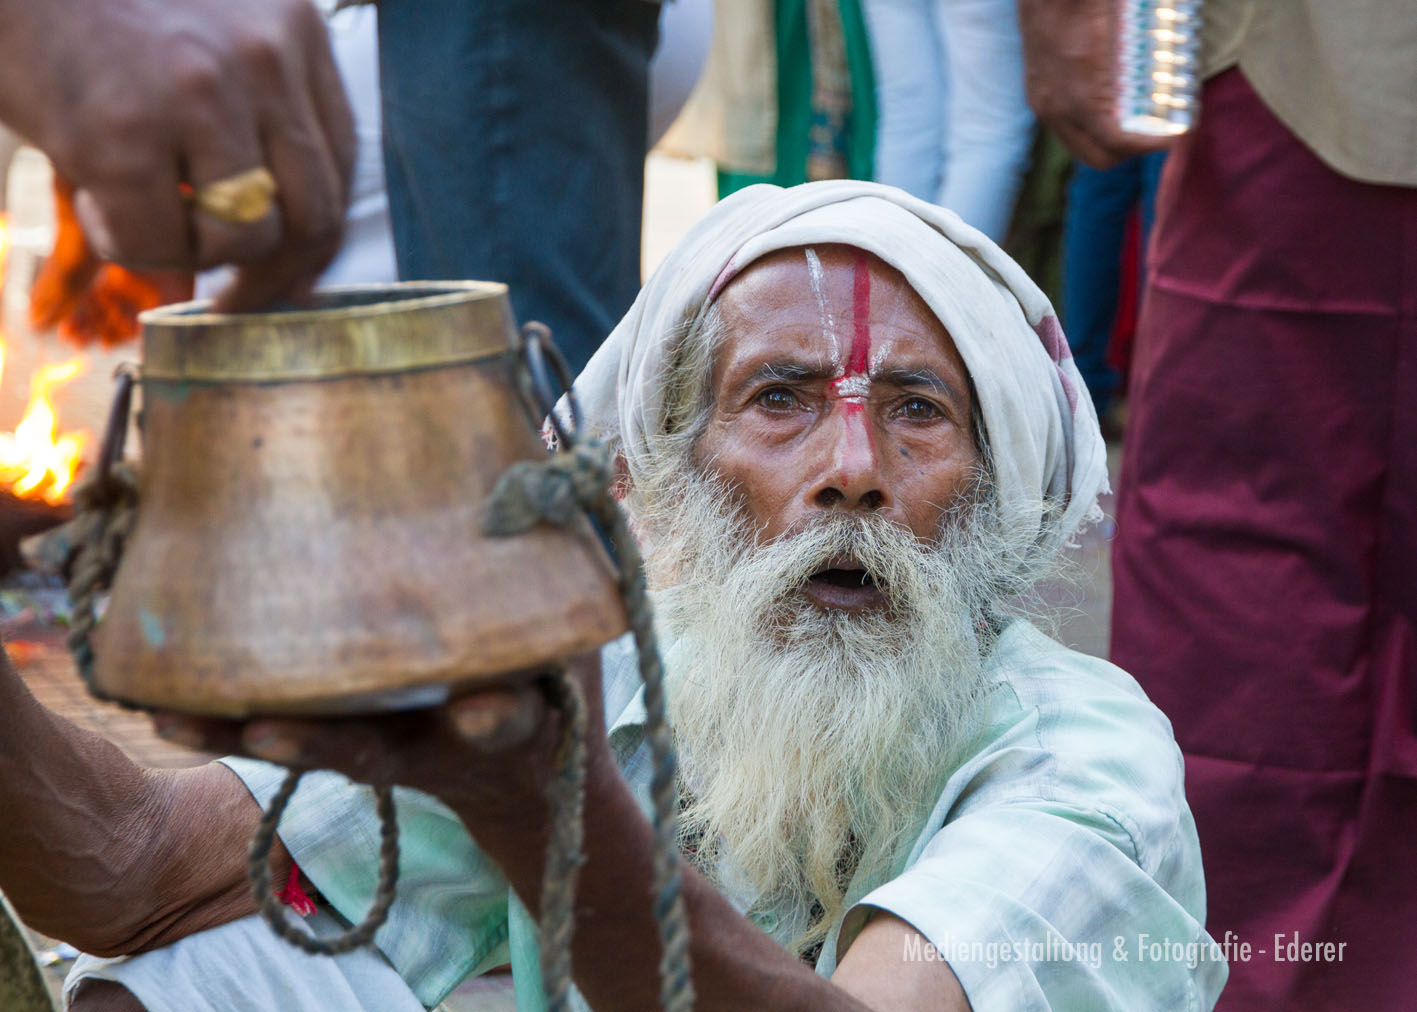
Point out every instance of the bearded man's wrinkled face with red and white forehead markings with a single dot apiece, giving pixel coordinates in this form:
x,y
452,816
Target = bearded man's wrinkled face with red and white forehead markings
x,y
837,389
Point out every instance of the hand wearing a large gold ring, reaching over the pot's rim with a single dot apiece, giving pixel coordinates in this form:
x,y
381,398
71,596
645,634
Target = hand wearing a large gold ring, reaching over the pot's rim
x,y
198,134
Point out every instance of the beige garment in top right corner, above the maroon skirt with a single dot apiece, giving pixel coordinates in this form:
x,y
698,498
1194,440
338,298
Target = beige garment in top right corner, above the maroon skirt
x,y
1341,74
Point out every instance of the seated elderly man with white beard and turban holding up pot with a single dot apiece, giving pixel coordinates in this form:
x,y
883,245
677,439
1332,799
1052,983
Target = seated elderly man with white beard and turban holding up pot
x,y
851,437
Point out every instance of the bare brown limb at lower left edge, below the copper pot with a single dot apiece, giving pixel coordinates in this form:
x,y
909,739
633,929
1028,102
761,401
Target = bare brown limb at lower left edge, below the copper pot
x,y
107,855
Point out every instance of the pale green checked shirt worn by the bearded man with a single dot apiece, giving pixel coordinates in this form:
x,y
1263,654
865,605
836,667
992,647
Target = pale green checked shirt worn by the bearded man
x,y
1059,867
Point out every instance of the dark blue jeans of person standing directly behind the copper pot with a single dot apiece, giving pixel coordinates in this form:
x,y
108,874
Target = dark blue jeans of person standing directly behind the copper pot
x,y
515,141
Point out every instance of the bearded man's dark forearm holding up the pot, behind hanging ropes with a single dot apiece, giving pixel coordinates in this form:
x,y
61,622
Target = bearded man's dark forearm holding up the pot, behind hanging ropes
x,y
617,945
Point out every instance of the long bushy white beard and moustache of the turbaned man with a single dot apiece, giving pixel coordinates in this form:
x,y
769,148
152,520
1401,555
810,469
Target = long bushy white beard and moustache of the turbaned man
x,y
814,742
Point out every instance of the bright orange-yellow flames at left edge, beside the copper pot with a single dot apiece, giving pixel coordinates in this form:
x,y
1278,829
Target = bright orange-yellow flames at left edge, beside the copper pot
x,y
38,463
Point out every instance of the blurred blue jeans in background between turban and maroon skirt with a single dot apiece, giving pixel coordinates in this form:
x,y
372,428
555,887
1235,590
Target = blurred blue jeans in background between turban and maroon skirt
x,y
1095,229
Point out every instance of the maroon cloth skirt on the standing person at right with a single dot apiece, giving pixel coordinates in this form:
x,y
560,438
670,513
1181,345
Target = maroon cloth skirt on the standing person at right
x,y
1266,561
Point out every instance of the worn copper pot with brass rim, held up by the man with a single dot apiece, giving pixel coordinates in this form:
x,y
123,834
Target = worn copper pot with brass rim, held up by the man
x,y
308,529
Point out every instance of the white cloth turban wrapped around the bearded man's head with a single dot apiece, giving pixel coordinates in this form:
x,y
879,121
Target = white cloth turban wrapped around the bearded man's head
x,y
1039,422
